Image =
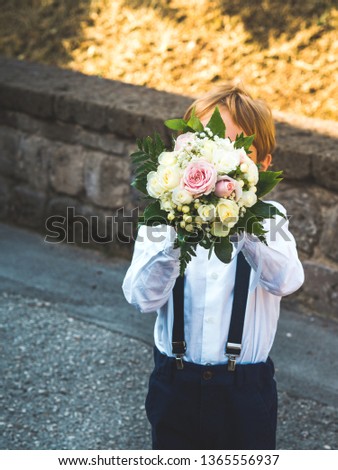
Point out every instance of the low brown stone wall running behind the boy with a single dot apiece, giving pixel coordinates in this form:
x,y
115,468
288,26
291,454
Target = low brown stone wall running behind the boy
x,y
65,139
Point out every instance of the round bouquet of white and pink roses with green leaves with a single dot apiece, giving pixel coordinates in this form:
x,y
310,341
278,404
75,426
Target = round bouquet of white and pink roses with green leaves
x,y
207,187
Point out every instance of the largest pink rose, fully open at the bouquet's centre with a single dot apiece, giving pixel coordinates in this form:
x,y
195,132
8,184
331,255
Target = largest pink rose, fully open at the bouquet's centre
x,y
199,177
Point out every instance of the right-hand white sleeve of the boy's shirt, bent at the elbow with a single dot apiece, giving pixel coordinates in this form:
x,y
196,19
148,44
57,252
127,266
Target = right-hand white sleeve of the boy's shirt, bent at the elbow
x,y
276,264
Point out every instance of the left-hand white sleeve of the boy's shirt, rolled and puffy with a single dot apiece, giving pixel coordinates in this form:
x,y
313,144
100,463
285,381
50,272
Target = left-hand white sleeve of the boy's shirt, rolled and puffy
x,y
154,268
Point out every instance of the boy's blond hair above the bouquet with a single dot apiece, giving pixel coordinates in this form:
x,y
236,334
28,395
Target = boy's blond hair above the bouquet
x,y
252,115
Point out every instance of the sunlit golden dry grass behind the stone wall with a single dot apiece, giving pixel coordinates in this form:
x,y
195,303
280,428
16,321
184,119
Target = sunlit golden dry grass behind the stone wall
x,y
285,51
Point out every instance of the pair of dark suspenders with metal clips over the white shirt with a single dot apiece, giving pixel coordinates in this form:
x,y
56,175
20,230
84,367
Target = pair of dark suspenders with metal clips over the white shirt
x,y
234,343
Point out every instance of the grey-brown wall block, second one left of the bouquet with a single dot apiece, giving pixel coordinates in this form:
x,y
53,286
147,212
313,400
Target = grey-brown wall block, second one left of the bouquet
x,y
66,173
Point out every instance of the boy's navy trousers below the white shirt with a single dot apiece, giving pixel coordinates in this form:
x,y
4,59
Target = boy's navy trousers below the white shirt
x,y
209,407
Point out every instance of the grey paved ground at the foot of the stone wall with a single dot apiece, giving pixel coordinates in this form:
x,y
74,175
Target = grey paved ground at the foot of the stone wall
x,y
75,357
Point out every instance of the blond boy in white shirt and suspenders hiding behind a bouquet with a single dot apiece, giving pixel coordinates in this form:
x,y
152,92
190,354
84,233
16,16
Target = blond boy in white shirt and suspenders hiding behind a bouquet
x,y
206,397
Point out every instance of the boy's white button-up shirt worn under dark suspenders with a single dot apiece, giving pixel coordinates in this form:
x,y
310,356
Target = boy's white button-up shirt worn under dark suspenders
x,y
208,290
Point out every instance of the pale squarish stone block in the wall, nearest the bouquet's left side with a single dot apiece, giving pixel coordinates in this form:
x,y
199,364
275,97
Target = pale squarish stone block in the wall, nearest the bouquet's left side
x,y
107,180
